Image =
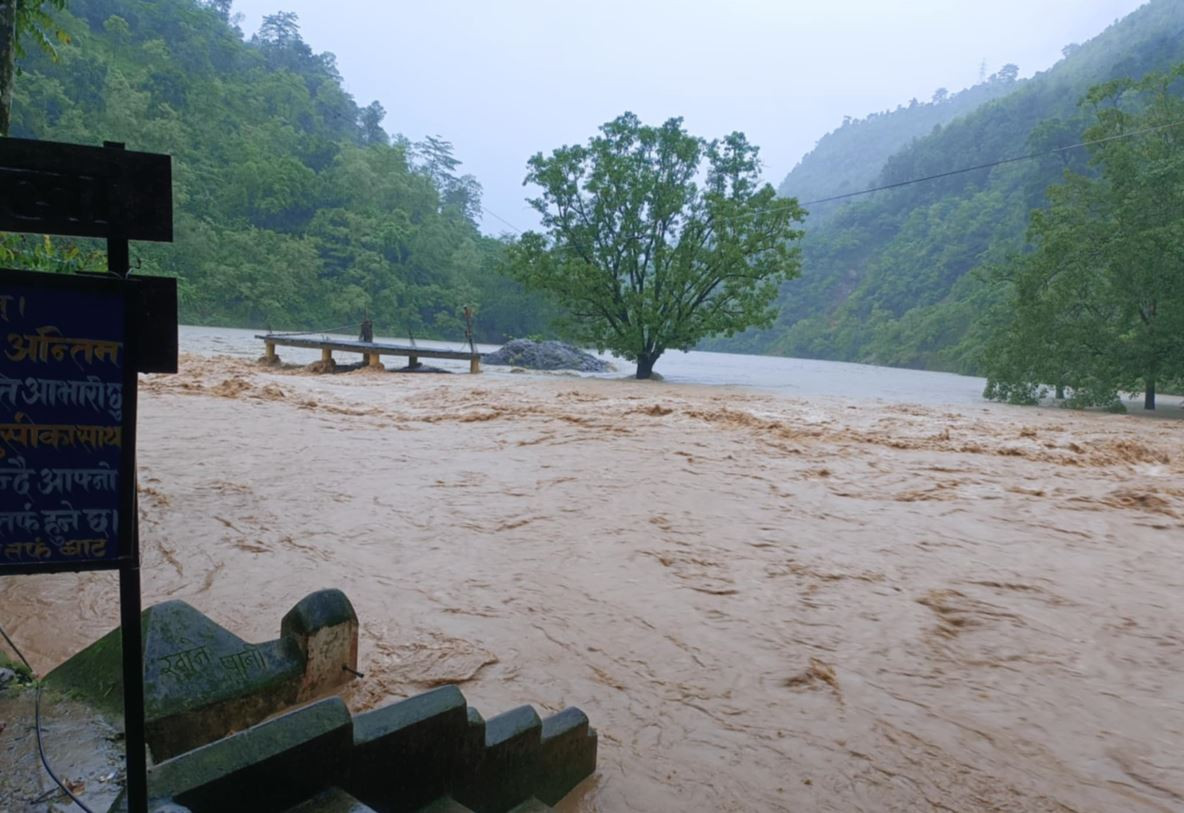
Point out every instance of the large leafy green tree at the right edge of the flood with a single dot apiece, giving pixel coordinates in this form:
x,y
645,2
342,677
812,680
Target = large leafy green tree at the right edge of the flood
x,y
1098,307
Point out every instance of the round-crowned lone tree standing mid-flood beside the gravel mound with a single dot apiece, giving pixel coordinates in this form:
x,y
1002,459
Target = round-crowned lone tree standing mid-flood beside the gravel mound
x,y
657,240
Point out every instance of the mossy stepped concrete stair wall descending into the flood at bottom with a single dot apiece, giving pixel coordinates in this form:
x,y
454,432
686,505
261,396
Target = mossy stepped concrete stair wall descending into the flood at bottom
x,y
427,753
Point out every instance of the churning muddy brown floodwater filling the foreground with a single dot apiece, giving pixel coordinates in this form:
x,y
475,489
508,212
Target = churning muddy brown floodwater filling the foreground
x,y
762,604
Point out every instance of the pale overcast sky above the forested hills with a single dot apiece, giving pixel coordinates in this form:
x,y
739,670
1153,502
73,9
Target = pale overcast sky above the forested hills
x,y
509,79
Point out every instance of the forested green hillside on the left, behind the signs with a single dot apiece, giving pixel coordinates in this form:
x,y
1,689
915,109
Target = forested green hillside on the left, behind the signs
x,y
294,207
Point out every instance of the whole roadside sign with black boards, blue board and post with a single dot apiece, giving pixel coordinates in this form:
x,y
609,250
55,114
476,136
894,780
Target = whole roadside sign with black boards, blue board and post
x,y
72,347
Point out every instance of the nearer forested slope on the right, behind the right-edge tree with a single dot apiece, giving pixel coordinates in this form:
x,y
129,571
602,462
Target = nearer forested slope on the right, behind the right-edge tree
x,y
900,278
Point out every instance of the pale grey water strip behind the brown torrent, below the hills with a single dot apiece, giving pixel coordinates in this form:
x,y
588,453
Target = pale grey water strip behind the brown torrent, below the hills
x,y
797,378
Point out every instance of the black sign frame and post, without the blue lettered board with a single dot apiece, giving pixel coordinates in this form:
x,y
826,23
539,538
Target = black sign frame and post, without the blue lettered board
x,y
107,192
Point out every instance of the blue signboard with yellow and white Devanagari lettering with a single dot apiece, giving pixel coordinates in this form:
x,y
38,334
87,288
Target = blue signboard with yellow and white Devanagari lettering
x,y
67,390
